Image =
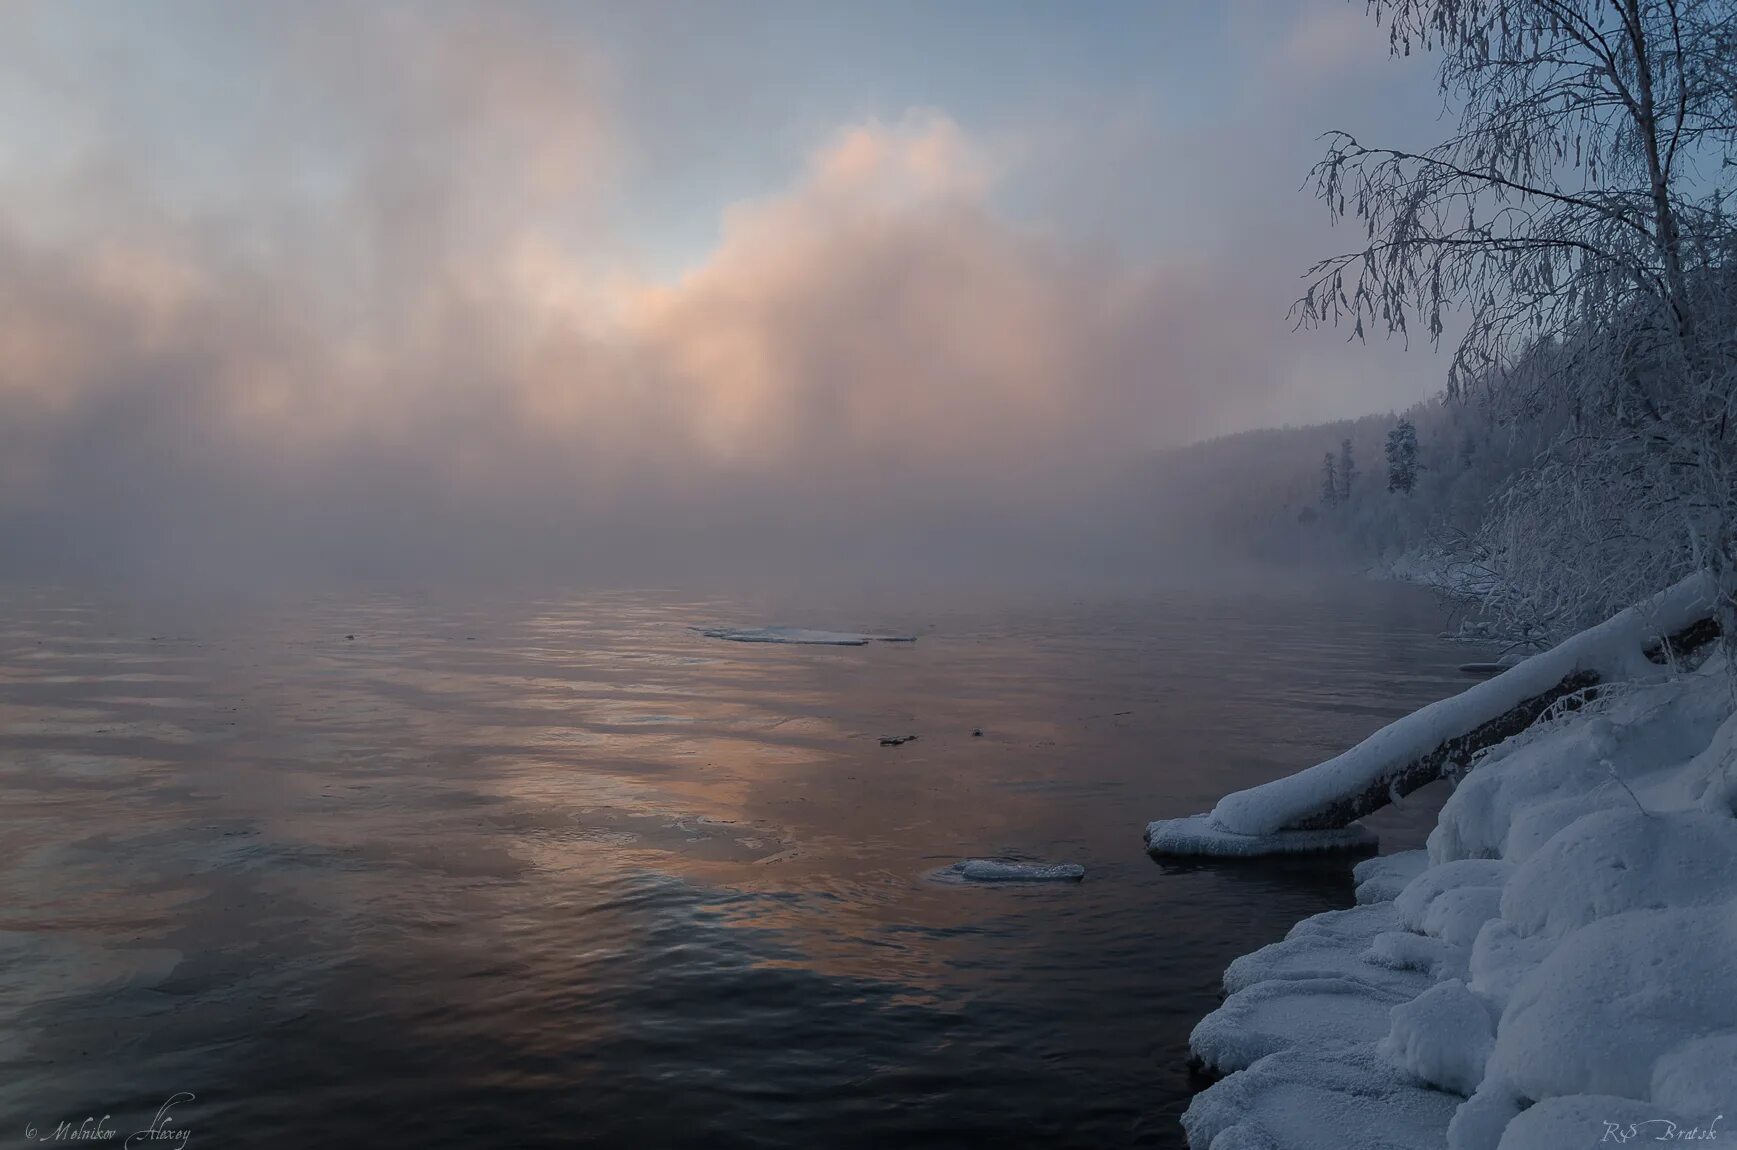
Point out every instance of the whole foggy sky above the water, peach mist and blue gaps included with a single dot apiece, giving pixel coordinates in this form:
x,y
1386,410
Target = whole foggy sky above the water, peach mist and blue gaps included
x,y
310,291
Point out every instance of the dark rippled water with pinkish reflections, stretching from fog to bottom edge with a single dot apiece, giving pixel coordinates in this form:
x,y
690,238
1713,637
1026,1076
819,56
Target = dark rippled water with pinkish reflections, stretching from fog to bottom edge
x,y
564,873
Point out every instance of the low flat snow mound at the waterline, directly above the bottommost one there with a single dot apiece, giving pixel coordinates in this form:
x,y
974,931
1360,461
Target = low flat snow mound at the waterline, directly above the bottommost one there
x,y
1304,1014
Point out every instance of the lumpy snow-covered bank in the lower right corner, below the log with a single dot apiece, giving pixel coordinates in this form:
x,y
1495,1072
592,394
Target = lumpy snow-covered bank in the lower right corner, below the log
x,y
1555,972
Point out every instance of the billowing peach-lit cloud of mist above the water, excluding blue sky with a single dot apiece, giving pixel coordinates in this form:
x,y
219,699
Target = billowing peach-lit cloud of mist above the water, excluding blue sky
x,y
395,331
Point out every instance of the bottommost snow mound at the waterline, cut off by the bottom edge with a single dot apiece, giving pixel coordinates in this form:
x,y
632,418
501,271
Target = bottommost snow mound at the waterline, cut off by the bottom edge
x,y
1311,1100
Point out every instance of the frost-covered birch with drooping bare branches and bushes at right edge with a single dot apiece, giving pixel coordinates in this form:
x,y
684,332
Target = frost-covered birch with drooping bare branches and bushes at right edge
x,y
1580,221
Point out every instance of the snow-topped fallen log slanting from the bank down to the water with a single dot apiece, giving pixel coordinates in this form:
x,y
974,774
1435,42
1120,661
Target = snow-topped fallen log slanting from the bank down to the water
x,y
1413,751
